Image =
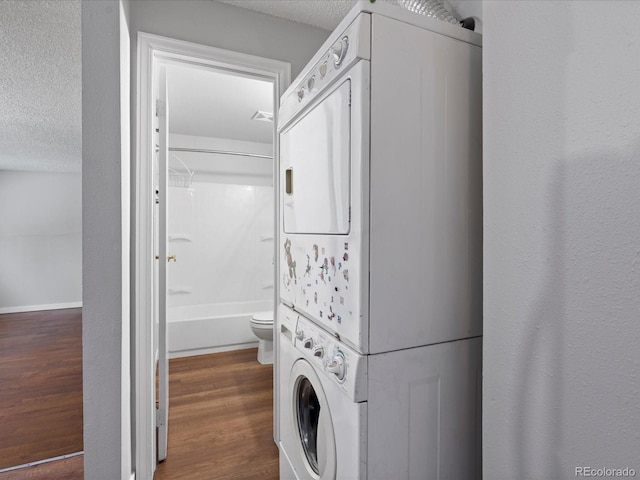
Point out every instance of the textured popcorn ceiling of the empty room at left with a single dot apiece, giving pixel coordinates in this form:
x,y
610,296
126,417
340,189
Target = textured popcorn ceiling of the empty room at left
x,y
40,85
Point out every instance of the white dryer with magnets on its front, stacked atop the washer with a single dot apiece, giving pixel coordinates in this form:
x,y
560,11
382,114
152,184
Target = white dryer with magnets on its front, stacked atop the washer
x,y
380,161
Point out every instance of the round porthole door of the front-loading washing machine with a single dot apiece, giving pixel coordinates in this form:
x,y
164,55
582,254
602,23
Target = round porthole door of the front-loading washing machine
x,y
316,445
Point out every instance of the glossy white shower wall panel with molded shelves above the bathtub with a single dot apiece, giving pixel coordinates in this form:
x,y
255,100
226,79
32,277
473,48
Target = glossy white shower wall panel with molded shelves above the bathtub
x,y
222,237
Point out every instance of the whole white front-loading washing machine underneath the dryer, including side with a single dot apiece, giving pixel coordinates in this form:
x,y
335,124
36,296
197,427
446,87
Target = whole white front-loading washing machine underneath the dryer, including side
x,y
409,414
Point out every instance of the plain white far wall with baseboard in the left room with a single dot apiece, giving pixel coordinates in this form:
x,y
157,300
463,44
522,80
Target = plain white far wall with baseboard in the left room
x,y
40,241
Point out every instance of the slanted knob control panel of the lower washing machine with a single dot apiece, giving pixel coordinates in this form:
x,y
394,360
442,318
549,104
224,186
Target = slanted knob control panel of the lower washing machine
x,y
338,362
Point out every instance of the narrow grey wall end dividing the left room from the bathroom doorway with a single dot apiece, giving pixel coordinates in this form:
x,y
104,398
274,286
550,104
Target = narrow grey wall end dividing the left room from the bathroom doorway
x,y
105,233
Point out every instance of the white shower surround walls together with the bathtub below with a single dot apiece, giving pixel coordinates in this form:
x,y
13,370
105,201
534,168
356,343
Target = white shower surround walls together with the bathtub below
x,y
222,237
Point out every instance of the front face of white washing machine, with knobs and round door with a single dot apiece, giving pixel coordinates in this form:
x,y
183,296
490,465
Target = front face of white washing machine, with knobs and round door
x,y
323,415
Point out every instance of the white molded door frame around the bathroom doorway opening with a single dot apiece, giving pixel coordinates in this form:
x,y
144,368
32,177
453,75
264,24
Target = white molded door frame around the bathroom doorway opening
x,y
150,49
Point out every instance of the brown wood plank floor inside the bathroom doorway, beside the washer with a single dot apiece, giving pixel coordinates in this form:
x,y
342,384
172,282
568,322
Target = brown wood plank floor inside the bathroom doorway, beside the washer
x,y
220,419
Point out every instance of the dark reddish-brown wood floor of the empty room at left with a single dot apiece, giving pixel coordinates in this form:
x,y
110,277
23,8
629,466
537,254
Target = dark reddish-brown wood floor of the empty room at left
x,y
40,385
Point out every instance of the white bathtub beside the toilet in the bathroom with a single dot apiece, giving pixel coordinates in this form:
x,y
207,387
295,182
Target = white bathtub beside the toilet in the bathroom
x,y
211,328
